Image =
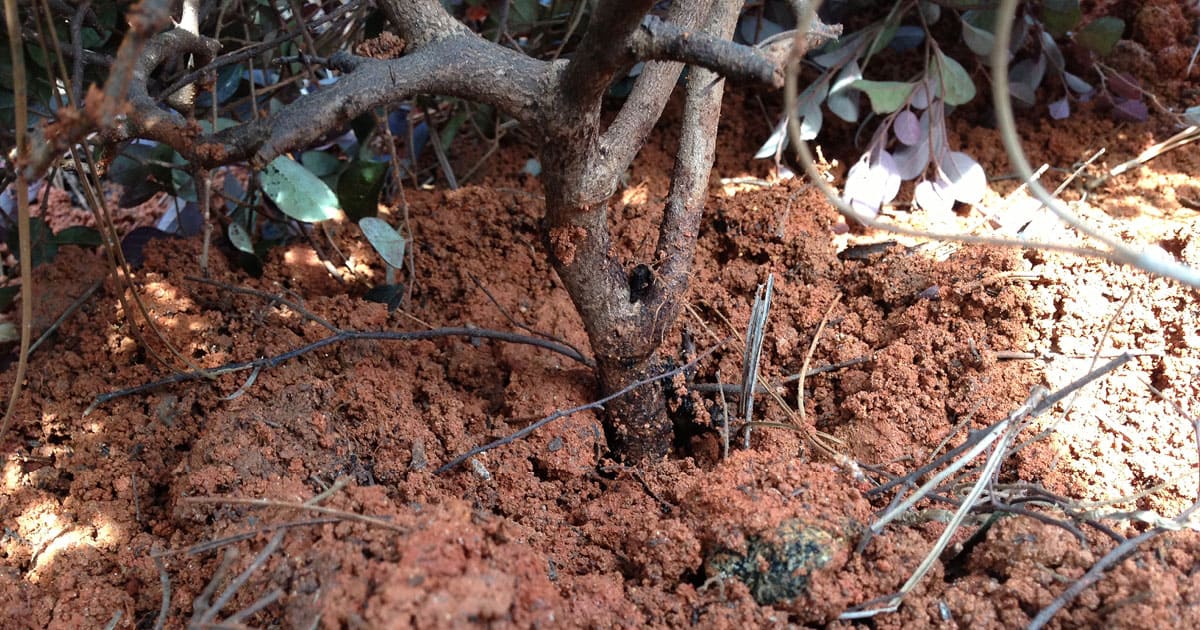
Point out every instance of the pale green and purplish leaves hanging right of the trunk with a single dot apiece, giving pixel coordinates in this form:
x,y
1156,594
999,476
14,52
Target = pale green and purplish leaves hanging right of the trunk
x,y
907,115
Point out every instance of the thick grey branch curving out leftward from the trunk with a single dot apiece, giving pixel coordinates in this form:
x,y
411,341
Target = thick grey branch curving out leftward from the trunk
x,y
463,65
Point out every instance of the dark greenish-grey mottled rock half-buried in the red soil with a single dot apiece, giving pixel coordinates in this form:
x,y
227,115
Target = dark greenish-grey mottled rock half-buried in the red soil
x,y
777,567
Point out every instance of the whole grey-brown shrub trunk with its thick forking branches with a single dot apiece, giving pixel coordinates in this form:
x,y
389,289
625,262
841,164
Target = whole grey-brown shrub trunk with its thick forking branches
x,y
583,161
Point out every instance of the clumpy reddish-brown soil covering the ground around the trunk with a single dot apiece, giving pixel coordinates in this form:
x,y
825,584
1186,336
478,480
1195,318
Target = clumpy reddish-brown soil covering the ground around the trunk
x,y
157,490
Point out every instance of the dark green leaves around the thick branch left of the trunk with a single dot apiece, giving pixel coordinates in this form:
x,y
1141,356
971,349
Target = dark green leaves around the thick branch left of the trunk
x,y
351,171
